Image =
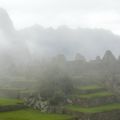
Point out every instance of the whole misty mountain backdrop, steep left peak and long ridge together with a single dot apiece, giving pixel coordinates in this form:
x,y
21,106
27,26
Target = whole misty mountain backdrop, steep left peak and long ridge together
x,y
19,48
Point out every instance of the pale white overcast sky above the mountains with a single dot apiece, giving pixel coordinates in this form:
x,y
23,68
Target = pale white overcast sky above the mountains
x,y
73,13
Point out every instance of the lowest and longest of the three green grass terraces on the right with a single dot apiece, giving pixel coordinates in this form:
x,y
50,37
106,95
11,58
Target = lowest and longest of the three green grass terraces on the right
x,y
103,108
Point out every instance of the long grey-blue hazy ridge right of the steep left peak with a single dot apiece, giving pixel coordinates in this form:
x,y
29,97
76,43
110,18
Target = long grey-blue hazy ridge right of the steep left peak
x,y
89,42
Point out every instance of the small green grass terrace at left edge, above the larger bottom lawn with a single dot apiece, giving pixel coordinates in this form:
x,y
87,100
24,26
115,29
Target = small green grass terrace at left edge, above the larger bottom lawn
x,y
7,101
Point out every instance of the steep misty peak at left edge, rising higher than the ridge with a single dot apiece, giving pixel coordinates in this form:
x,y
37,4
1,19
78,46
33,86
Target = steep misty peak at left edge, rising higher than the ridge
x,y
13,51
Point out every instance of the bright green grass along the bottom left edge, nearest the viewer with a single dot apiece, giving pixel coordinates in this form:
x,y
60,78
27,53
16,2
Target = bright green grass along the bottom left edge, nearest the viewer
x,y
31,115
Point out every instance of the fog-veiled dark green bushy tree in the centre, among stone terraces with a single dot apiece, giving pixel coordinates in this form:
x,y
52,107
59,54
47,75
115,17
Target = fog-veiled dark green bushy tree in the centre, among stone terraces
x,y
55,86
